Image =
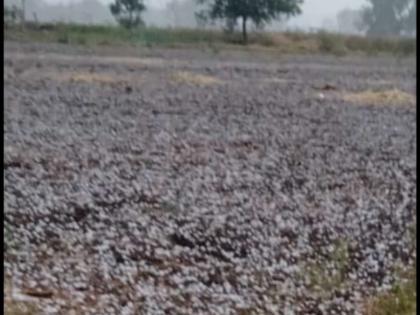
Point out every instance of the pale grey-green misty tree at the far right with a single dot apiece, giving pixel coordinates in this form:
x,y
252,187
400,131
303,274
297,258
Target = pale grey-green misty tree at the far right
x,y
390,17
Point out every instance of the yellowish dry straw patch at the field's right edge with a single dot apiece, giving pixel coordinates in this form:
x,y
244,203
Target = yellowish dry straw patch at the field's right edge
x,y
387,97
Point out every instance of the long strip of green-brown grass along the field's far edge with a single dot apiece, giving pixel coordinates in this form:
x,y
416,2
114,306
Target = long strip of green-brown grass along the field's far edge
x,y
286,42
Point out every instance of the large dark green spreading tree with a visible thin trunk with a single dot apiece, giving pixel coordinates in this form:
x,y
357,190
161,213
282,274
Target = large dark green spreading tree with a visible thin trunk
x,y
258,11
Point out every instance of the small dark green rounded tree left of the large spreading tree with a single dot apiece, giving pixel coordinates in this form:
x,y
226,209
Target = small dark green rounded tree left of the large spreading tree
x,y
128,12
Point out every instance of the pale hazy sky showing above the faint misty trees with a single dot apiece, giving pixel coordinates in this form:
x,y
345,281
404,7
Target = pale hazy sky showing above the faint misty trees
x,y
314,11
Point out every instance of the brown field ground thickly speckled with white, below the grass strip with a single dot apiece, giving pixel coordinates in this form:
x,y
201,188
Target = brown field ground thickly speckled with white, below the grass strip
x,y
181,182
